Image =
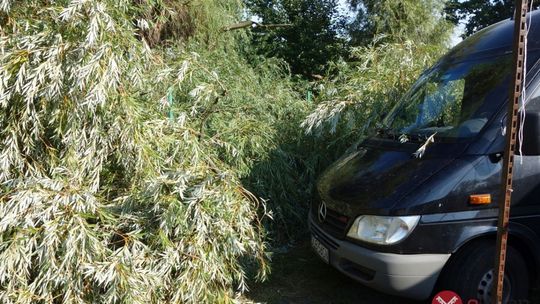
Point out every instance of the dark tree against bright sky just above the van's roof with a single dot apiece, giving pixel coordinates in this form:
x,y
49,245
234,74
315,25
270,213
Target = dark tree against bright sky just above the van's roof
x,y
477,14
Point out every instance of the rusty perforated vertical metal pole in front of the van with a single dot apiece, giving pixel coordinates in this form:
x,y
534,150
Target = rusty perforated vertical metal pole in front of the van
x,y
520,31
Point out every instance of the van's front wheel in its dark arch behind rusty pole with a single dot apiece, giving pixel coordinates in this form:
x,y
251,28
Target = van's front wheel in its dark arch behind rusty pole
x,y
470,274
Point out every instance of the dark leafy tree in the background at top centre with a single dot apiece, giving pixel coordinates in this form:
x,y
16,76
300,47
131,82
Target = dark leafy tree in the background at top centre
x,y
312,40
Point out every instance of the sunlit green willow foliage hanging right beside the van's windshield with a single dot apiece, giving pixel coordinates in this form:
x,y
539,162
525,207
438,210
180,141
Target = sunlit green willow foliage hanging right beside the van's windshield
x,y
409,36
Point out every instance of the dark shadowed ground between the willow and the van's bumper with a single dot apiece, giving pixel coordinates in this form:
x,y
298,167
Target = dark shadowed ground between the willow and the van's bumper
x,y
299,277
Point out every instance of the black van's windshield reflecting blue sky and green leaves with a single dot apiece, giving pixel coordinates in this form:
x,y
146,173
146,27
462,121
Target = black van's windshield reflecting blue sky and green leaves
x,y
453,99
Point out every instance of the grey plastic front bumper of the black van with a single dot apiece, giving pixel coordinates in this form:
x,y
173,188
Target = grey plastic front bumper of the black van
x,y
407,275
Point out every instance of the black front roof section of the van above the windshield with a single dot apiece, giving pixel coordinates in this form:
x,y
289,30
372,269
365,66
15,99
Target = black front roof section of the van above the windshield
x,y
497,38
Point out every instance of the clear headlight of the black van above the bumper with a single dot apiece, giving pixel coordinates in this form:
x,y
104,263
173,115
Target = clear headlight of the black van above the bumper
x,y
383,230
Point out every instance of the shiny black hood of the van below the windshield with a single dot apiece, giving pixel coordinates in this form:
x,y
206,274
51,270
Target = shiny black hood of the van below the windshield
x,y
376,177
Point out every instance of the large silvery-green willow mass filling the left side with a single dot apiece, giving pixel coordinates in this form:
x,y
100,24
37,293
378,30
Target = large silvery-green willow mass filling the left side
x,y
120,163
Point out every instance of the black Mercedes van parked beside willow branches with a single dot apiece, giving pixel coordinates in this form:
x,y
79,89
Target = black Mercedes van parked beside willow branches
x,y
413,210
